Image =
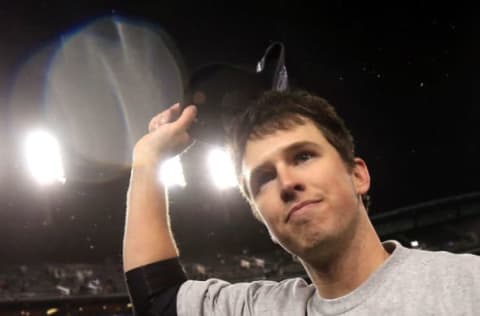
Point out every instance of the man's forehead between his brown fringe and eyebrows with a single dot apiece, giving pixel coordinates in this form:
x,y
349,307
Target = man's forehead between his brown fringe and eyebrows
x,y
262,149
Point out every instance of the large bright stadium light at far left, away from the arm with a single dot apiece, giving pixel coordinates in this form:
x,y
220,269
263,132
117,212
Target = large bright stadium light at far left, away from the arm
x,y
43,157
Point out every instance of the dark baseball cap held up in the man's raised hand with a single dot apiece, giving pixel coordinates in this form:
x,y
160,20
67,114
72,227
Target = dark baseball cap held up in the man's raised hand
x,y
221,90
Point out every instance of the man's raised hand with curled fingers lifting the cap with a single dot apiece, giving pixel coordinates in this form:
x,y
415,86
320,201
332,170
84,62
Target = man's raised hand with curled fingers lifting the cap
x,y
167,136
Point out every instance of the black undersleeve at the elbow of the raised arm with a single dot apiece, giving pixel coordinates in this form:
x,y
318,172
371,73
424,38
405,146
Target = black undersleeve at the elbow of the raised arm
x,y
153,288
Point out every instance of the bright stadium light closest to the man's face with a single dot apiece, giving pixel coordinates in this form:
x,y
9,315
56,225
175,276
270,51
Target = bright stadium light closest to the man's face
x,y
221,169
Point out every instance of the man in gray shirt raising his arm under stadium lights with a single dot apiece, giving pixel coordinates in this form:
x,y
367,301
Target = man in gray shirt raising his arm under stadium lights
x,y
296,166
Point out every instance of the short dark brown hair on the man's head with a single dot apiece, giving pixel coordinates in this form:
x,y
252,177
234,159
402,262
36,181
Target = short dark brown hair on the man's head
x,y
275,110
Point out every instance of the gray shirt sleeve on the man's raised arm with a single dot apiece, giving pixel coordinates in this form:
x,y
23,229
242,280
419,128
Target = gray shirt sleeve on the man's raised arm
x,y
215,297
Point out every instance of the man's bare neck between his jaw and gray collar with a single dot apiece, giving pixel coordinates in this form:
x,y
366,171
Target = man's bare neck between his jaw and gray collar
x,y
343,271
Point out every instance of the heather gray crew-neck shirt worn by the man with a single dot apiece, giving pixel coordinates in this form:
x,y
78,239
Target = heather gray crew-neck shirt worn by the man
x,y
410,282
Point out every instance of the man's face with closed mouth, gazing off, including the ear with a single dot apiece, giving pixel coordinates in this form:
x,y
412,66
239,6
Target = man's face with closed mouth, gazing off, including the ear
x,y
308,198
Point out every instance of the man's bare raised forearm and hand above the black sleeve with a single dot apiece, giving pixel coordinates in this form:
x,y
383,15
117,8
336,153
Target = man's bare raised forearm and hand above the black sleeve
x,y
148,237
